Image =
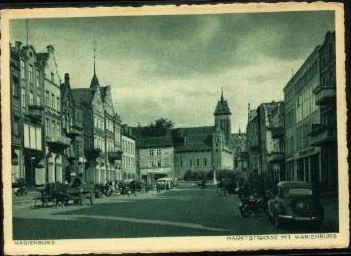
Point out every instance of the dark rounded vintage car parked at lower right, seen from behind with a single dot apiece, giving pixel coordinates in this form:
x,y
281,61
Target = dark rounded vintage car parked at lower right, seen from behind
x,y
295,201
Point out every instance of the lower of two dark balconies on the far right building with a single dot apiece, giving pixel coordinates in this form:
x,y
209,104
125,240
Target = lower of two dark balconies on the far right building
x,y
322,134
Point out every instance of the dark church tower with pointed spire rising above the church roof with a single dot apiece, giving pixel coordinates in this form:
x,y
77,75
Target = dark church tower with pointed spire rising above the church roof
x,y
222,118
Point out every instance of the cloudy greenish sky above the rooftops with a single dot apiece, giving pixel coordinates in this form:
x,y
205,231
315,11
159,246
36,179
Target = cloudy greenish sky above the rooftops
x,y
176,66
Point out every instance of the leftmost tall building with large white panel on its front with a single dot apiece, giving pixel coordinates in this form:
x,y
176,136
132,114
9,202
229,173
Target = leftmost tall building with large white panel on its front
x,y
27,84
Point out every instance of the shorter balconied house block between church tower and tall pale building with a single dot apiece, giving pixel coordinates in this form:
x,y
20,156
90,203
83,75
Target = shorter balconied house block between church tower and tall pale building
x,y
265,143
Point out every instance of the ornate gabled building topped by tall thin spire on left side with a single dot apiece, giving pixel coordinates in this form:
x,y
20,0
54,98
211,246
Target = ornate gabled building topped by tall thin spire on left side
x,y
102,141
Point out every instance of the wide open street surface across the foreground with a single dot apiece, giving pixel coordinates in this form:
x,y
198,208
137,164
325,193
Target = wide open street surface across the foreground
x,y
179,212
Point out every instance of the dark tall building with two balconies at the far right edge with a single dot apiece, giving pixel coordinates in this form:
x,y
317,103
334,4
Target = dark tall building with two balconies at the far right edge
x,y
323,134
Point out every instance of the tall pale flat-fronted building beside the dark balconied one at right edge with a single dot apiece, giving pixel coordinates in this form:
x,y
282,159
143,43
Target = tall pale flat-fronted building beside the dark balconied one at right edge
x,y
301,112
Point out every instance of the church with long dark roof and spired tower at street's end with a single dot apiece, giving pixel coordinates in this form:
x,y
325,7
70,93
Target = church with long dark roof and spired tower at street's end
x,y
206,148
